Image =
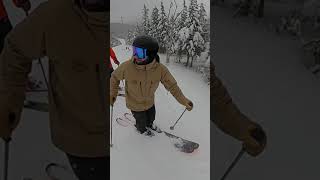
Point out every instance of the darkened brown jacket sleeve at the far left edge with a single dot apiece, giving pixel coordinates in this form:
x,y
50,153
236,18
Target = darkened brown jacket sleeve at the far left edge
x,y
22,45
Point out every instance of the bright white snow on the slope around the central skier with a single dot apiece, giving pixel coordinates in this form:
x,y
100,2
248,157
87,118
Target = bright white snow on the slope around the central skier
x,y
137,157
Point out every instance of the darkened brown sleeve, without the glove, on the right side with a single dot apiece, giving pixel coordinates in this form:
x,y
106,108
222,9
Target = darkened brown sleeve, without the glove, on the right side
x,y
226,115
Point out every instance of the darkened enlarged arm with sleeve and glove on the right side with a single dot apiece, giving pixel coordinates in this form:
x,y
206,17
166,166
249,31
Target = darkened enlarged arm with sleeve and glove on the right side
x,y
230,120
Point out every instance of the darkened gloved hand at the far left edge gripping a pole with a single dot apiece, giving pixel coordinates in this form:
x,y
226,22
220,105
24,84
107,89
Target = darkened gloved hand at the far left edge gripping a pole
x,y
7,123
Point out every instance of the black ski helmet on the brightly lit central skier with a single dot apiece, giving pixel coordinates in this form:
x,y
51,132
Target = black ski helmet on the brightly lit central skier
x,y
149,43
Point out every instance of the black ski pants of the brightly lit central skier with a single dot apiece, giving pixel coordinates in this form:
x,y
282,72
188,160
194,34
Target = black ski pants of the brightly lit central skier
x,y
144,119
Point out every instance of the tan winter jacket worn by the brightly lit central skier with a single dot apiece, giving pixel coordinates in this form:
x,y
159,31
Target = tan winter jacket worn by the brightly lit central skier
x,y
141,83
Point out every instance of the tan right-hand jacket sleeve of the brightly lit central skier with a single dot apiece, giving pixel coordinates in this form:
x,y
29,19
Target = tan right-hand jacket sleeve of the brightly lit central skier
x,y
171,85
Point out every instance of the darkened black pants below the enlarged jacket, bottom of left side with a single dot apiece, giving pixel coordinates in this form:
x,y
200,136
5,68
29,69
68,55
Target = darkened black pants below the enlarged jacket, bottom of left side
x,y
90,168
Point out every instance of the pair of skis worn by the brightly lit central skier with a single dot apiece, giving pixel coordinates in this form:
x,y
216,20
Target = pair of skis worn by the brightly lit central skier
x,y
181,144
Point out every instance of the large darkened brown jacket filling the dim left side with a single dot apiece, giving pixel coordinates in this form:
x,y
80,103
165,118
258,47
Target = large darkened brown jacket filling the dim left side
x,y
76,43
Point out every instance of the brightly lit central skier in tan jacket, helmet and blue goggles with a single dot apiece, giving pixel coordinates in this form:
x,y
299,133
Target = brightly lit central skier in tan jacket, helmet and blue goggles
x,y
142,75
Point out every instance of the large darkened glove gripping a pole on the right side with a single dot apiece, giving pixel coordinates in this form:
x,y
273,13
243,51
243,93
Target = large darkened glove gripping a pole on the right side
x,y
255,141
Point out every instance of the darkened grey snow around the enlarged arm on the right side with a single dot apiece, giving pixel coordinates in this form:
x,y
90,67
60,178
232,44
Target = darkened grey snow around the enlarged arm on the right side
x,y
266,78
